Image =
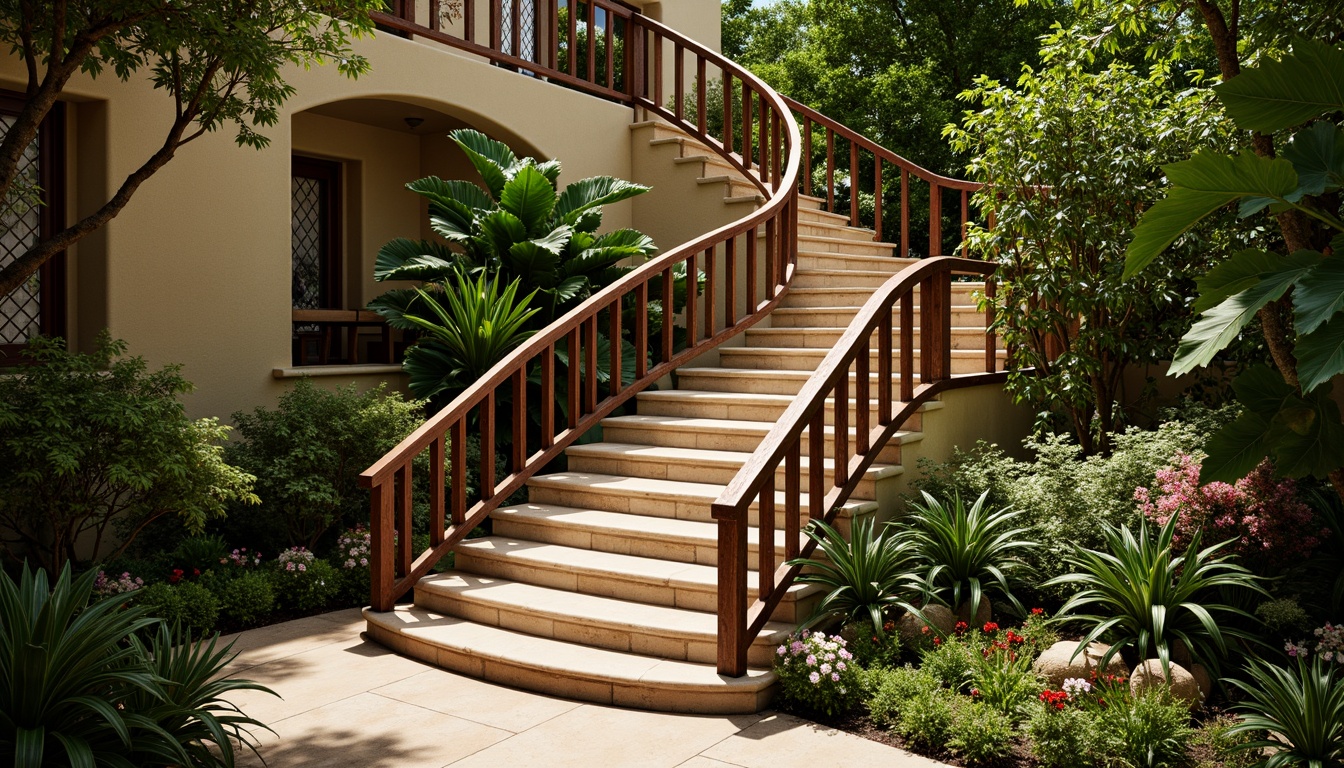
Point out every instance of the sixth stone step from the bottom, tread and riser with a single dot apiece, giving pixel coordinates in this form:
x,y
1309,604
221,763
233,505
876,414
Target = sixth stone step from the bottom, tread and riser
x,y
693,465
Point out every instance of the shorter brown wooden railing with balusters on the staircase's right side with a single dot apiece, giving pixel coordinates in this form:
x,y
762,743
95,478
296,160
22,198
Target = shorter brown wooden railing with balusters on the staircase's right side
x,y
783,446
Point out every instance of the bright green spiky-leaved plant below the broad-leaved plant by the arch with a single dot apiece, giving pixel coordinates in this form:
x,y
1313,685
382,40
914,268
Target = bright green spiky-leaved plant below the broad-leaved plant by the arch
x,y
476,329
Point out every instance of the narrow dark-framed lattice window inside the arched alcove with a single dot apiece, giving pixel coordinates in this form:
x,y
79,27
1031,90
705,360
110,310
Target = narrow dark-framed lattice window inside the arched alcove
x,y
315,228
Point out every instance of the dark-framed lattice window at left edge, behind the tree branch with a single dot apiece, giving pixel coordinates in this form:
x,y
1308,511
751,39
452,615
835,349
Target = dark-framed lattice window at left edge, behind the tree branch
x,y
40,306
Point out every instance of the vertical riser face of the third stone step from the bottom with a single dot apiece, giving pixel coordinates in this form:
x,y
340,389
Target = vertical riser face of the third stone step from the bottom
x,y
610,586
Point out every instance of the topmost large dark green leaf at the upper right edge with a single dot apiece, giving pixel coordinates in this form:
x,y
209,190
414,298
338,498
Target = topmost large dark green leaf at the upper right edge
x,y
1277,95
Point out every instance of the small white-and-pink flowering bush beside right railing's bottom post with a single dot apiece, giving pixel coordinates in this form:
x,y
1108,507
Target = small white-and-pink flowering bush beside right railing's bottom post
x,y
818,672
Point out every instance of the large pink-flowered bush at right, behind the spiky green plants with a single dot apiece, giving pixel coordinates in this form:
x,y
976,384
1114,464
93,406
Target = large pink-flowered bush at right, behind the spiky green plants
x,y
1271,527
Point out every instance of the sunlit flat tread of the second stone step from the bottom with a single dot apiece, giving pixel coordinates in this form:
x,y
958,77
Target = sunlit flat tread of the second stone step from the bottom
x,y
580,609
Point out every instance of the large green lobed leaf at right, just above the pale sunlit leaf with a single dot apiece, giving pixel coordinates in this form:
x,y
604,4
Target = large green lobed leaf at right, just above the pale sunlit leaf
x,y
1200,188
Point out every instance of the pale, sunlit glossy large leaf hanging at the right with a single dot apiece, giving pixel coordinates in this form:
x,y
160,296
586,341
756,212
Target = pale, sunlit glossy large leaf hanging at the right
x,y
1218,326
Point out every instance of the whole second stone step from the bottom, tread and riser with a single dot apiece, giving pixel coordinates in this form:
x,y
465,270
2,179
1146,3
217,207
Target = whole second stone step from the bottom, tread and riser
x,y
588,619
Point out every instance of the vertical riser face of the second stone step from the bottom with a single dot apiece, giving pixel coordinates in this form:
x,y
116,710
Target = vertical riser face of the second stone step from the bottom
x,y
702,650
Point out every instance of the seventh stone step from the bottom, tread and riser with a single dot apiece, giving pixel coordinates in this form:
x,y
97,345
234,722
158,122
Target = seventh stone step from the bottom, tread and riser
x,y
724,435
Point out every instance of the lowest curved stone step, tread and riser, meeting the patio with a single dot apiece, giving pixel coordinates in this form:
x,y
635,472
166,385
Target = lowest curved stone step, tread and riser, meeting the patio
x,y
568,669
